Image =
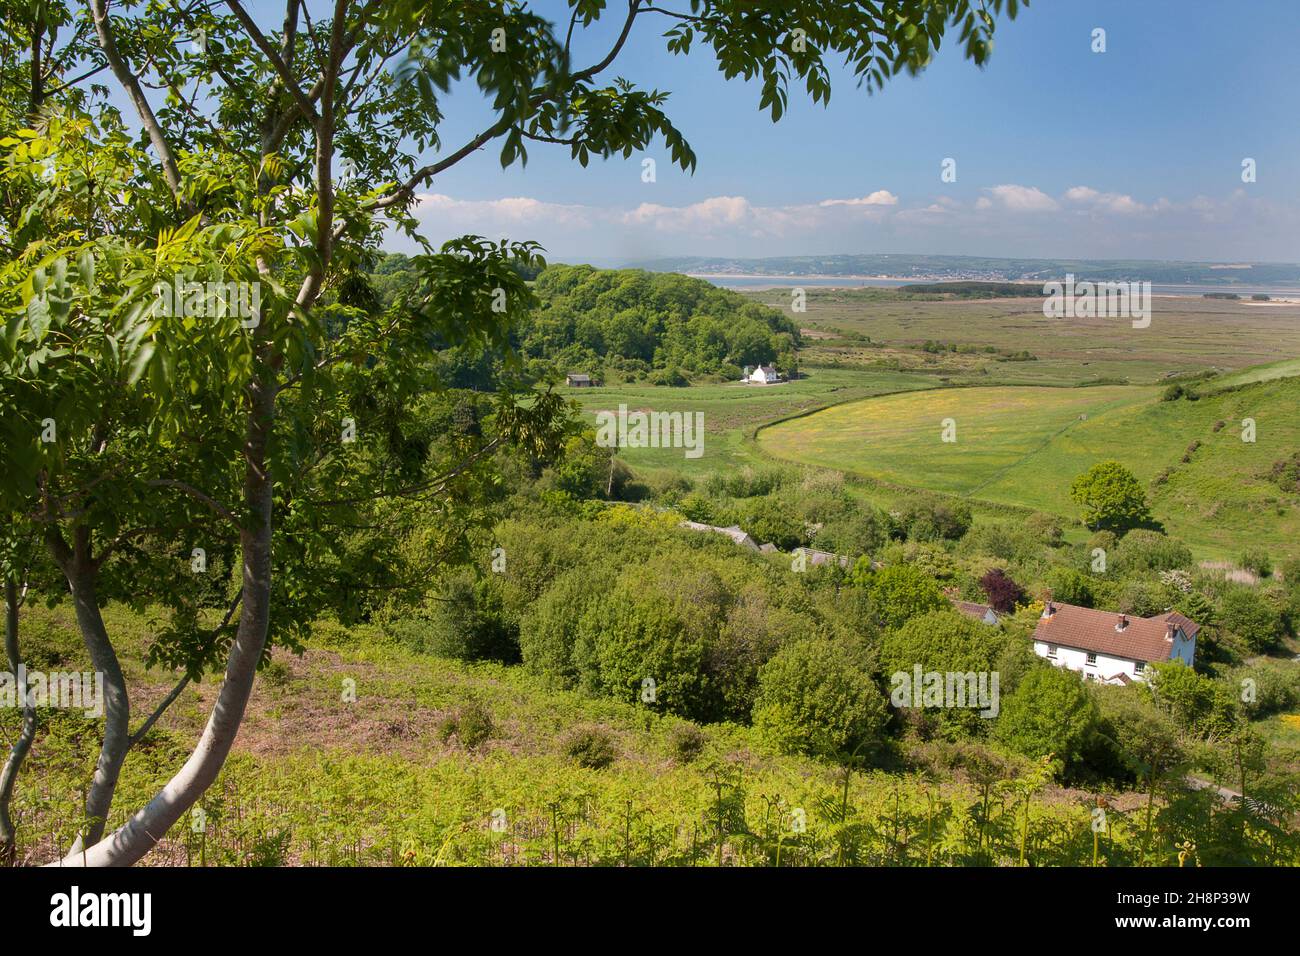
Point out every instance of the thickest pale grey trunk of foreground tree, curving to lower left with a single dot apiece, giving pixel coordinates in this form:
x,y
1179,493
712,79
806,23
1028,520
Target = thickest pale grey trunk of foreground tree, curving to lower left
x,y
144,832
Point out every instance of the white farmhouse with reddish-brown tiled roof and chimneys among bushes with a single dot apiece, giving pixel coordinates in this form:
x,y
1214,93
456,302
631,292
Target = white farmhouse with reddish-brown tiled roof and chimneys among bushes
x,y
1110,647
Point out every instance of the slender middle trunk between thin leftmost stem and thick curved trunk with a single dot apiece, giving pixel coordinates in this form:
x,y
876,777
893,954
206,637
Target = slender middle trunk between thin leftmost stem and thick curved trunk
x,y
118,707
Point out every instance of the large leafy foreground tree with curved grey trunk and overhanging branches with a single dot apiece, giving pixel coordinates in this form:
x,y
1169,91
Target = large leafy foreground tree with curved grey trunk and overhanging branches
x,y
279,158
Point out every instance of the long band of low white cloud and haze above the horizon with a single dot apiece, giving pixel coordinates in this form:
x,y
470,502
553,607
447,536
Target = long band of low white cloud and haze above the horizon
x,y
1007,219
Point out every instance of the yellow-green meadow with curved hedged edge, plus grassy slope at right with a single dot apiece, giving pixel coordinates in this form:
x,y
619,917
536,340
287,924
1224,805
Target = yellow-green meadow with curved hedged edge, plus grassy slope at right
x,y
1025,445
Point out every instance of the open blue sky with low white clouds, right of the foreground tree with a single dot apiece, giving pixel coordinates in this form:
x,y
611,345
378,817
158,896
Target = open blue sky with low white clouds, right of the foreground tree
x,y
1060,152
